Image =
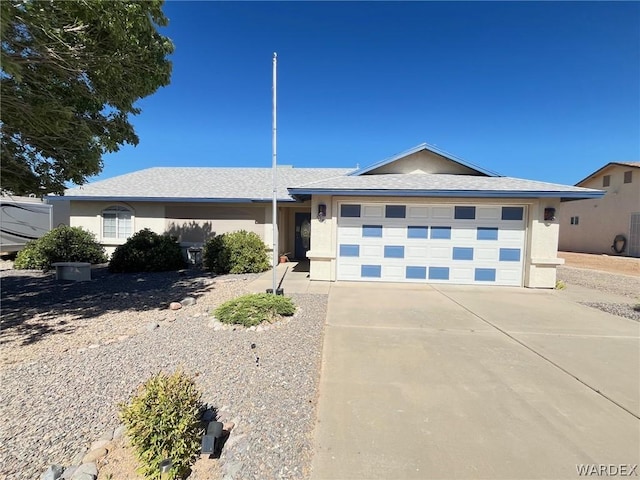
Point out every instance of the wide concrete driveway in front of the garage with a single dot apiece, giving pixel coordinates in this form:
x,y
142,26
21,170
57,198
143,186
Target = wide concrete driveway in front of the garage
x,y
473,382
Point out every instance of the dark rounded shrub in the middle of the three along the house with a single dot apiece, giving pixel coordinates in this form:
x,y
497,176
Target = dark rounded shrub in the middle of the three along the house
x,y
146,251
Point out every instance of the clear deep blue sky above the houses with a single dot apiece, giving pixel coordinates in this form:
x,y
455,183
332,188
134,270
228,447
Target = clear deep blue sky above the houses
x,y
541,90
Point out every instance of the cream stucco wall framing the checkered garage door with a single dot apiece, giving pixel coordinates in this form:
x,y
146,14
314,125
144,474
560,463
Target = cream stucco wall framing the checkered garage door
x,y
540,256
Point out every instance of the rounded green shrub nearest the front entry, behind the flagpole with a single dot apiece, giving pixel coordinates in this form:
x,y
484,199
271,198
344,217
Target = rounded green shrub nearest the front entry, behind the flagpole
x,y
237,252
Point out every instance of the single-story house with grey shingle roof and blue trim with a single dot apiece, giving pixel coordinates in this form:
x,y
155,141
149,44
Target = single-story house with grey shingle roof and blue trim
x,y
421,216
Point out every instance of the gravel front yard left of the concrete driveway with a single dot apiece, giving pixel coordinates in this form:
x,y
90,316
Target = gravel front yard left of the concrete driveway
x,y
72,351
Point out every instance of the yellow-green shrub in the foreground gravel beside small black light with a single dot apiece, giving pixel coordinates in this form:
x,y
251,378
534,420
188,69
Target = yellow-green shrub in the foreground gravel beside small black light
x,y
163,421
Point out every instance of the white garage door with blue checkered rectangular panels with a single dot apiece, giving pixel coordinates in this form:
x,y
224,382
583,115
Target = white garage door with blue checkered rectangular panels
x,y
461,244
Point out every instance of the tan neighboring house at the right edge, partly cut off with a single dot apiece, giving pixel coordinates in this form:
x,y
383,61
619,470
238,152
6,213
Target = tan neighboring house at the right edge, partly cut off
x,y
592,226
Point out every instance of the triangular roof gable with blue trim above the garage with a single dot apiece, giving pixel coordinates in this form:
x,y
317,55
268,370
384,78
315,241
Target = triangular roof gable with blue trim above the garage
x,y
424,159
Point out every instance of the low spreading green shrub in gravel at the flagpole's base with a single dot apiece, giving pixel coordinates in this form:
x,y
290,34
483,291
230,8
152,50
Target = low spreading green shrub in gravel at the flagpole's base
x,y
254,308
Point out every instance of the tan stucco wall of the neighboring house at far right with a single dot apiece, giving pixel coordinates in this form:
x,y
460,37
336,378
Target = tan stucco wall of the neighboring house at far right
x,y
600,220
